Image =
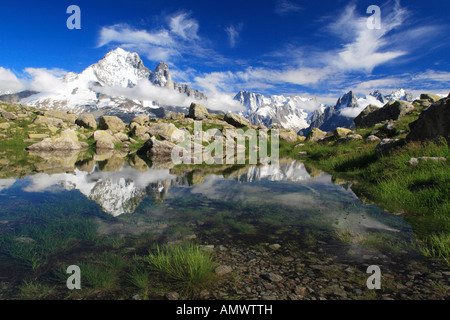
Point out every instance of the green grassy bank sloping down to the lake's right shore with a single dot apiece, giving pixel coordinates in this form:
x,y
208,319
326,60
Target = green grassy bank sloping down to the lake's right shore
x,y
420,192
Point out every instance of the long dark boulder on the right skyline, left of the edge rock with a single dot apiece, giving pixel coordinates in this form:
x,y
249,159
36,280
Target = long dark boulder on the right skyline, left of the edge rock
x,y
393,110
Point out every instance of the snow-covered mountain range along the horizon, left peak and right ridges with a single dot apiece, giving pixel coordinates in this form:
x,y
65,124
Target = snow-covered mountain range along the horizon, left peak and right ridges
x,y
121,85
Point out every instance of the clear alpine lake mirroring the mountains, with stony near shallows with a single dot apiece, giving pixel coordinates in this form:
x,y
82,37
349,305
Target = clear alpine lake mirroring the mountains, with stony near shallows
x,y
286,231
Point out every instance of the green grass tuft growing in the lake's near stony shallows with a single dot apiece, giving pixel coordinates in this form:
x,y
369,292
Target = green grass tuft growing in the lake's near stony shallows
x,y
186,265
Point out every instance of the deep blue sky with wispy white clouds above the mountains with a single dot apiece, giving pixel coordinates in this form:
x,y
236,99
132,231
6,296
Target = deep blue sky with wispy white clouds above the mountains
x,y
321,48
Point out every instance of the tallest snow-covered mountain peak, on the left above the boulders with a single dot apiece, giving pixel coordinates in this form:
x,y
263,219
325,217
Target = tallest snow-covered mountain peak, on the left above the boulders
x,y
102,87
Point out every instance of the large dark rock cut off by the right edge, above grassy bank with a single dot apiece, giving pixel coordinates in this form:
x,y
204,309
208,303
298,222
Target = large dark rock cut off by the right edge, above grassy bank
x,y
433,122
